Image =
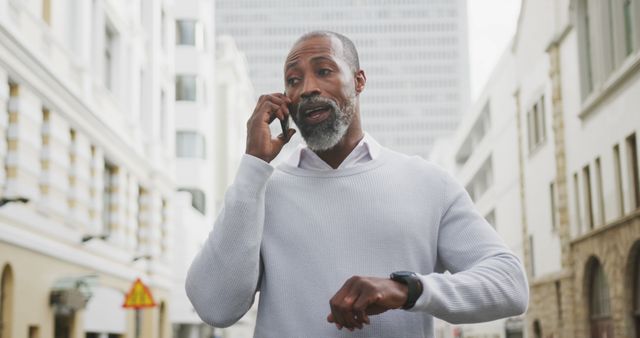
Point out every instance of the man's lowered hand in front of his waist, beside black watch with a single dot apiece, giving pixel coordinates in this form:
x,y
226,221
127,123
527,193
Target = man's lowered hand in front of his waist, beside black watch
x,y
360,297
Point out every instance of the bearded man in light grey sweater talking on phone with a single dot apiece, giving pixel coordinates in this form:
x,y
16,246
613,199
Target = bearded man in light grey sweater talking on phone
x,y
320,235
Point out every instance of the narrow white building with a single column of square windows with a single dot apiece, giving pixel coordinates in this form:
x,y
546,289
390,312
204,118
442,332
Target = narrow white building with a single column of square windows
x,y
195,128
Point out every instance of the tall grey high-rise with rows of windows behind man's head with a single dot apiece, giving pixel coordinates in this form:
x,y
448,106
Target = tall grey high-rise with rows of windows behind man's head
x,y
414,53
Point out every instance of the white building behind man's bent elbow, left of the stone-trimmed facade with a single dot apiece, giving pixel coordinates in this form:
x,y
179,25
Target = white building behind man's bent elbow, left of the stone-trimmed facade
x,y
481,156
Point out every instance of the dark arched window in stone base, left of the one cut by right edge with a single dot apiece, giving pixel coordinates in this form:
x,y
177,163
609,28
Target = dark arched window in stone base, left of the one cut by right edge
x,y
599,302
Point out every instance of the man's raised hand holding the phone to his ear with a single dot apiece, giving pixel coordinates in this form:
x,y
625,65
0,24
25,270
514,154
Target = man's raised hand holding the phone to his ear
x,y
260,143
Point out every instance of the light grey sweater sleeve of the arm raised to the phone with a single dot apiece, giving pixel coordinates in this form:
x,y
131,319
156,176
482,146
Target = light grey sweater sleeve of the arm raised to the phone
x,y
223,278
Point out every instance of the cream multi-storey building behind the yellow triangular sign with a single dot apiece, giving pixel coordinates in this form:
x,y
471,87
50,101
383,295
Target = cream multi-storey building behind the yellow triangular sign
x,y
84,141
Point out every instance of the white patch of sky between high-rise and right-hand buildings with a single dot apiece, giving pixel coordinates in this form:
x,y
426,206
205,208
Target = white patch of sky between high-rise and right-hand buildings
x,y
492,25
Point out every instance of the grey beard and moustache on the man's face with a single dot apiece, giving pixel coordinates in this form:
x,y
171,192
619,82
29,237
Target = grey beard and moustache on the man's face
x,y
328,133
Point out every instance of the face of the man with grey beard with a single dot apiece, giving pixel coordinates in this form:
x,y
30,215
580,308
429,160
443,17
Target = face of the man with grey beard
x,y
321,87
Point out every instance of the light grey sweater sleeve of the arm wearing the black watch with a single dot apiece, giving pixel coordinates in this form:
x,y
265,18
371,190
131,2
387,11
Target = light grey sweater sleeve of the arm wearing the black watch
x,y
485,280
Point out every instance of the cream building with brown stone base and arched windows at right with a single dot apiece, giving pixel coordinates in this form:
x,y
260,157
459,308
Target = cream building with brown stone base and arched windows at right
x,y
574,99
